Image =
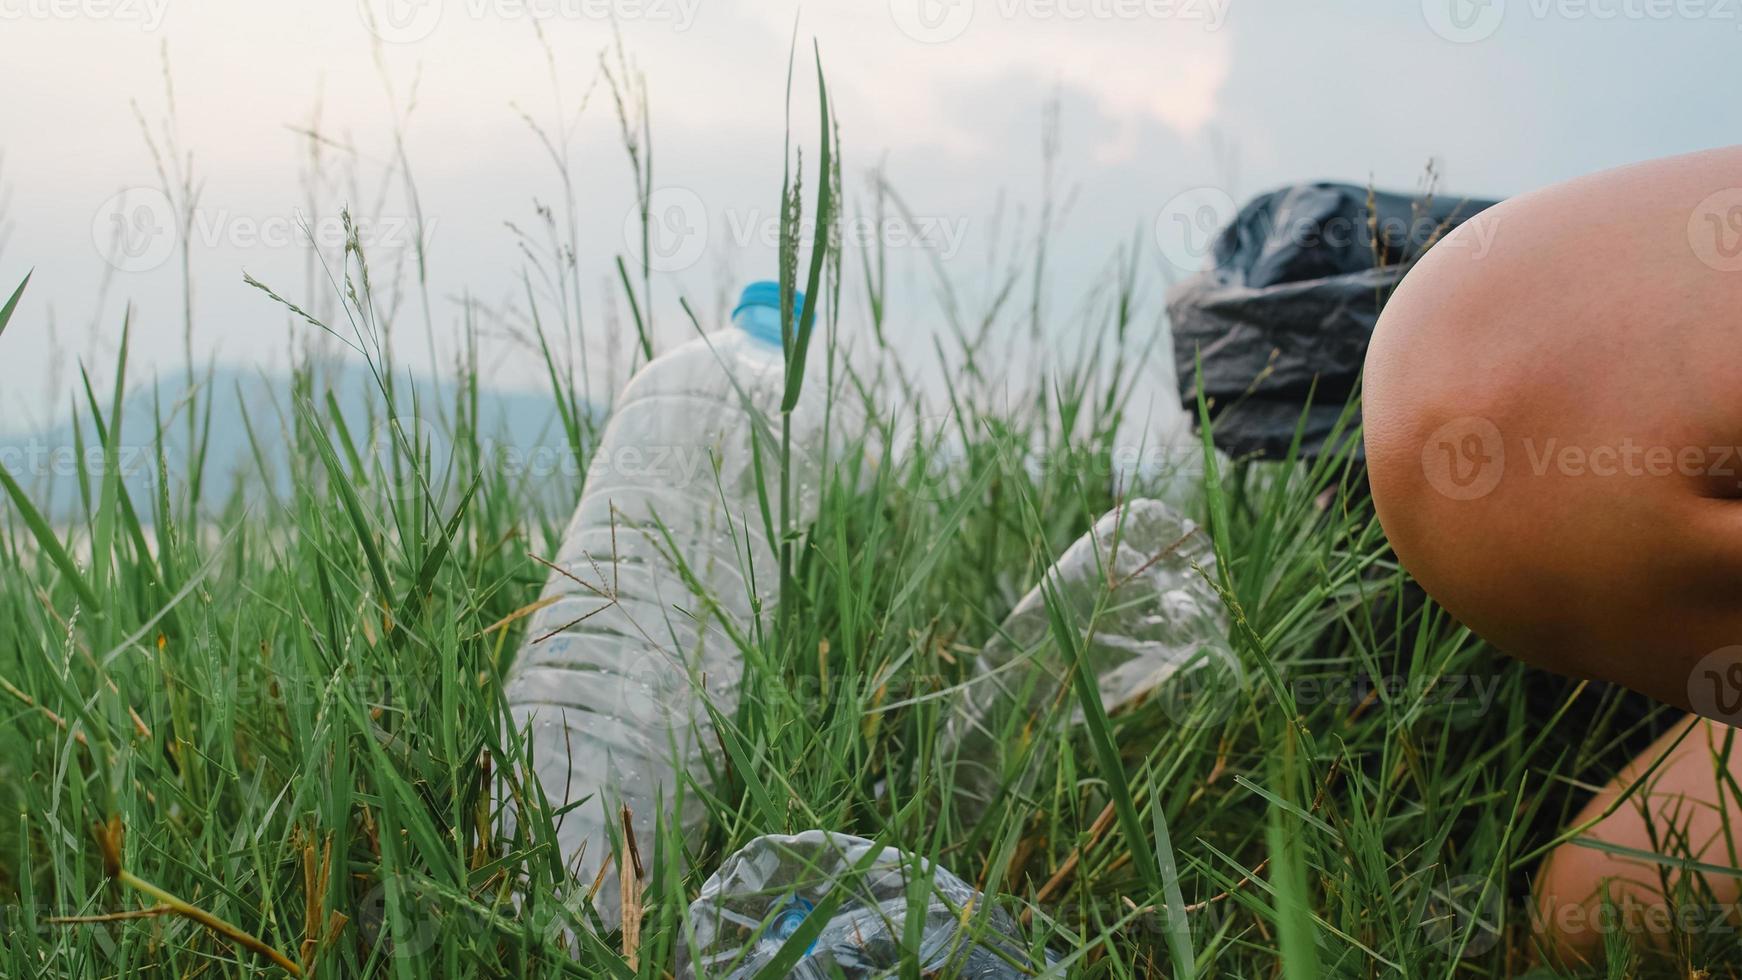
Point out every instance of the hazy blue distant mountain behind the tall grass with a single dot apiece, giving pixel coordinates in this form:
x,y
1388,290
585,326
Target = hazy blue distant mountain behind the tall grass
x,y
522,431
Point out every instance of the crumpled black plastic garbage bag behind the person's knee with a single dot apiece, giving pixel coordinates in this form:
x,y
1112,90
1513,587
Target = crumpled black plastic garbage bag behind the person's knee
x,y
1293,290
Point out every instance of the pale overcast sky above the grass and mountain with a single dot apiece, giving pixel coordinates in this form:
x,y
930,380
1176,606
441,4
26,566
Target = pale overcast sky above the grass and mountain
x,y
1213,100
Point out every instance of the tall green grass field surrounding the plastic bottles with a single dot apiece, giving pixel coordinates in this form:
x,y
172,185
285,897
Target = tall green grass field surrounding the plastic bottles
x,y
264,734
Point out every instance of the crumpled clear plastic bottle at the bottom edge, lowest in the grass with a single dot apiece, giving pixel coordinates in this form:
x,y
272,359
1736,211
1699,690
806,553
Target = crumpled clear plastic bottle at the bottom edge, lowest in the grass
x,y
766,892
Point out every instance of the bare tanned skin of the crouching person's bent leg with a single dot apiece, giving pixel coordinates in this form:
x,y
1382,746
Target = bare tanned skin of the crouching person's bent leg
x,y
1551,410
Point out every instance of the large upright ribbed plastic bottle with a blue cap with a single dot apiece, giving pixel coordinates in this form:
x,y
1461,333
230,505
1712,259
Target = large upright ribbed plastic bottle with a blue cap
x,y
614,669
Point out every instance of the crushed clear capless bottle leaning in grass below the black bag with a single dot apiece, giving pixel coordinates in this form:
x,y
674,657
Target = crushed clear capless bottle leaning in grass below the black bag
x,y
1163,631
